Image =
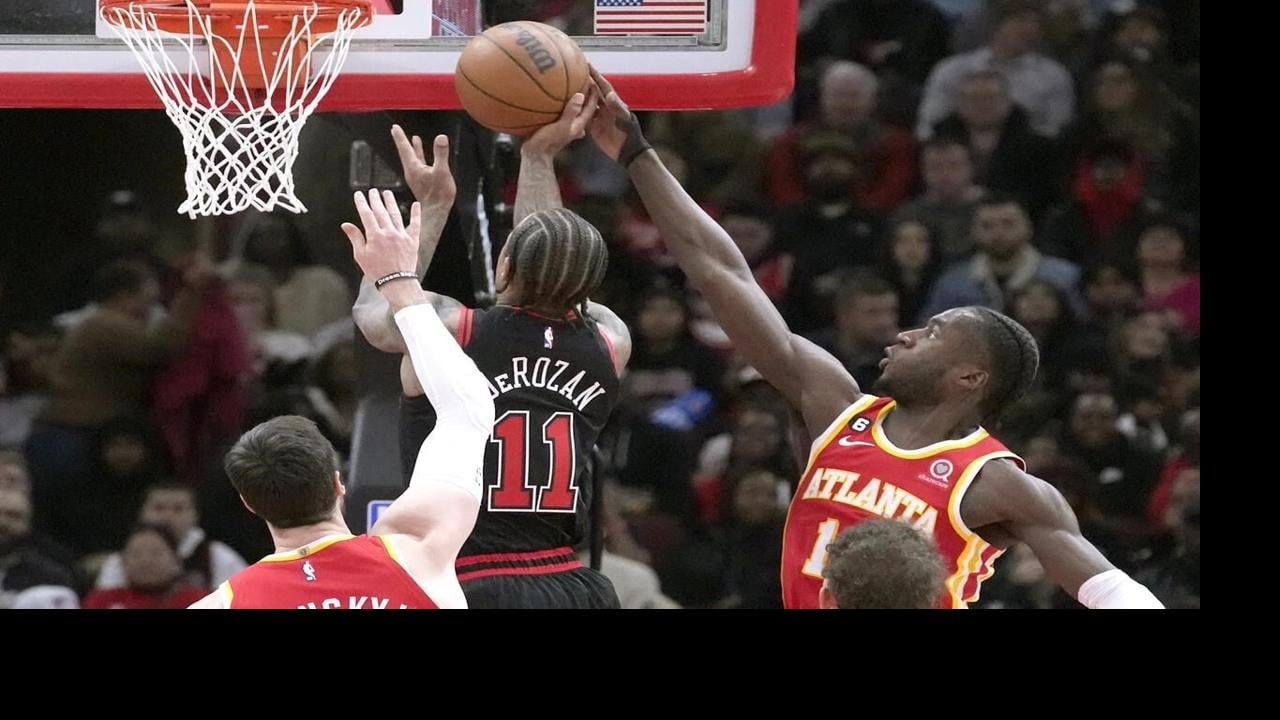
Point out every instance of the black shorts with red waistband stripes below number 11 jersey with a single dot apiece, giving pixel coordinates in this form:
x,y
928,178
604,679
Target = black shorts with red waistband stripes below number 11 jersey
x,y
547,580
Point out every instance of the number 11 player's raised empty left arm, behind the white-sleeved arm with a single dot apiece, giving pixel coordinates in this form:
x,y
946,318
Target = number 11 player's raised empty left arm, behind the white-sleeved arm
x,y
435,189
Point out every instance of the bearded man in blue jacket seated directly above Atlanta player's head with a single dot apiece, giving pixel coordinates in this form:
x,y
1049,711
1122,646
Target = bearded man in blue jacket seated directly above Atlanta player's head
x,y
1005,262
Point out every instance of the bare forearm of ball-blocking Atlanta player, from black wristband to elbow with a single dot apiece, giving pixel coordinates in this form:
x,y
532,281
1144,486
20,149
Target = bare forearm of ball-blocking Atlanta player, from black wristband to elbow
x,y
700,245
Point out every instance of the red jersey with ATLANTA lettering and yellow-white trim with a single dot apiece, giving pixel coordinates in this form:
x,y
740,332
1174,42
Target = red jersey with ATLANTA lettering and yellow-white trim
x,y
857,473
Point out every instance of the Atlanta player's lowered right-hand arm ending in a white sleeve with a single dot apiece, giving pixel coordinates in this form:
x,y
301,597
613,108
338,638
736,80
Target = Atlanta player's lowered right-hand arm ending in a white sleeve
x,y
1013,503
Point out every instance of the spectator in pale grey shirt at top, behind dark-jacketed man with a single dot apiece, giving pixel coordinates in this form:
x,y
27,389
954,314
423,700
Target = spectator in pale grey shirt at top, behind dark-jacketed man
x,y
1039,84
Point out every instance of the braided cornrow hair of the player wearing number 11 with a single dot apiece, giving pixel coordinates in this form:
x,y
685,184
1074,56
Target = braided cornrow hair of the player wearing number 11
x,y
560,259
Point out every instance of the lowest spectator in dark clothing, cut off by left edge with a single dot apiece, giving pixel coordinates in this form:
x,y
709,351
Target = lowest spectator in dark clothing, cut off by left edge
x,y
24,566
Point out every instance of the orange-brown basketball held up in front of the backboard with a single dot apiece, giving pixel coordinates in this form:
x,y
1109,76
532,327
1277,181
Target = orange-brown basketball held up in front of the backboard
x,y
518,78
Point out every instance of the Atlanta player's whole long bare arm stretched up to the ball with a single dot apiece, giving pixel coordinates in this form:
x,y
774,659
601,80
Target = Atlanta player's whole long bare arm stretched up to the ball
x,y
810,377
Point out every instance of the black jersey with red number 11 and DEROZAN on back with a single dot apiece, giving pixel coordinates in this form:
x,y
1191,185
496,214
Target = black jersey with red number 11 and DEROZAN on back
x,y
554,385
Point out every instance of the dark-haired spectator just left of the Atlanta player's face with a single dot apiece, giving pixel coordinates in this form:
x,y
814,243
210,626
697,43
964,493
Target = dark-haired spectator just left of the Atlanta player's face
x,y
866,325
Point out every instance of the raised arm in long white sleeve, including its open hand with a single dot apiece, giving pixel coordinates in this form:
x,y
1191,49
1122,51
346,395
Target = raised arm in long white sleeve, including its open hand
x,y
444,499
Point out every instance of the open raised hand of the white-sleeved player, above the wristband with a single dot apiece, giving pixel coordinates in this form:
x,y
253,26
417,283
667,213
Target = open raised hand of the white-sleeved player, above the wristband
x,y
386,245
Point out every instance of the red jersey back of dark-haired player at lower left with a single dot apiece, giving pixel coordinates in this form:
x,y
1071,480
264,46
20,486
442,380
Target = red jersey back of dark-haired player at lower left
x,y
333,573
